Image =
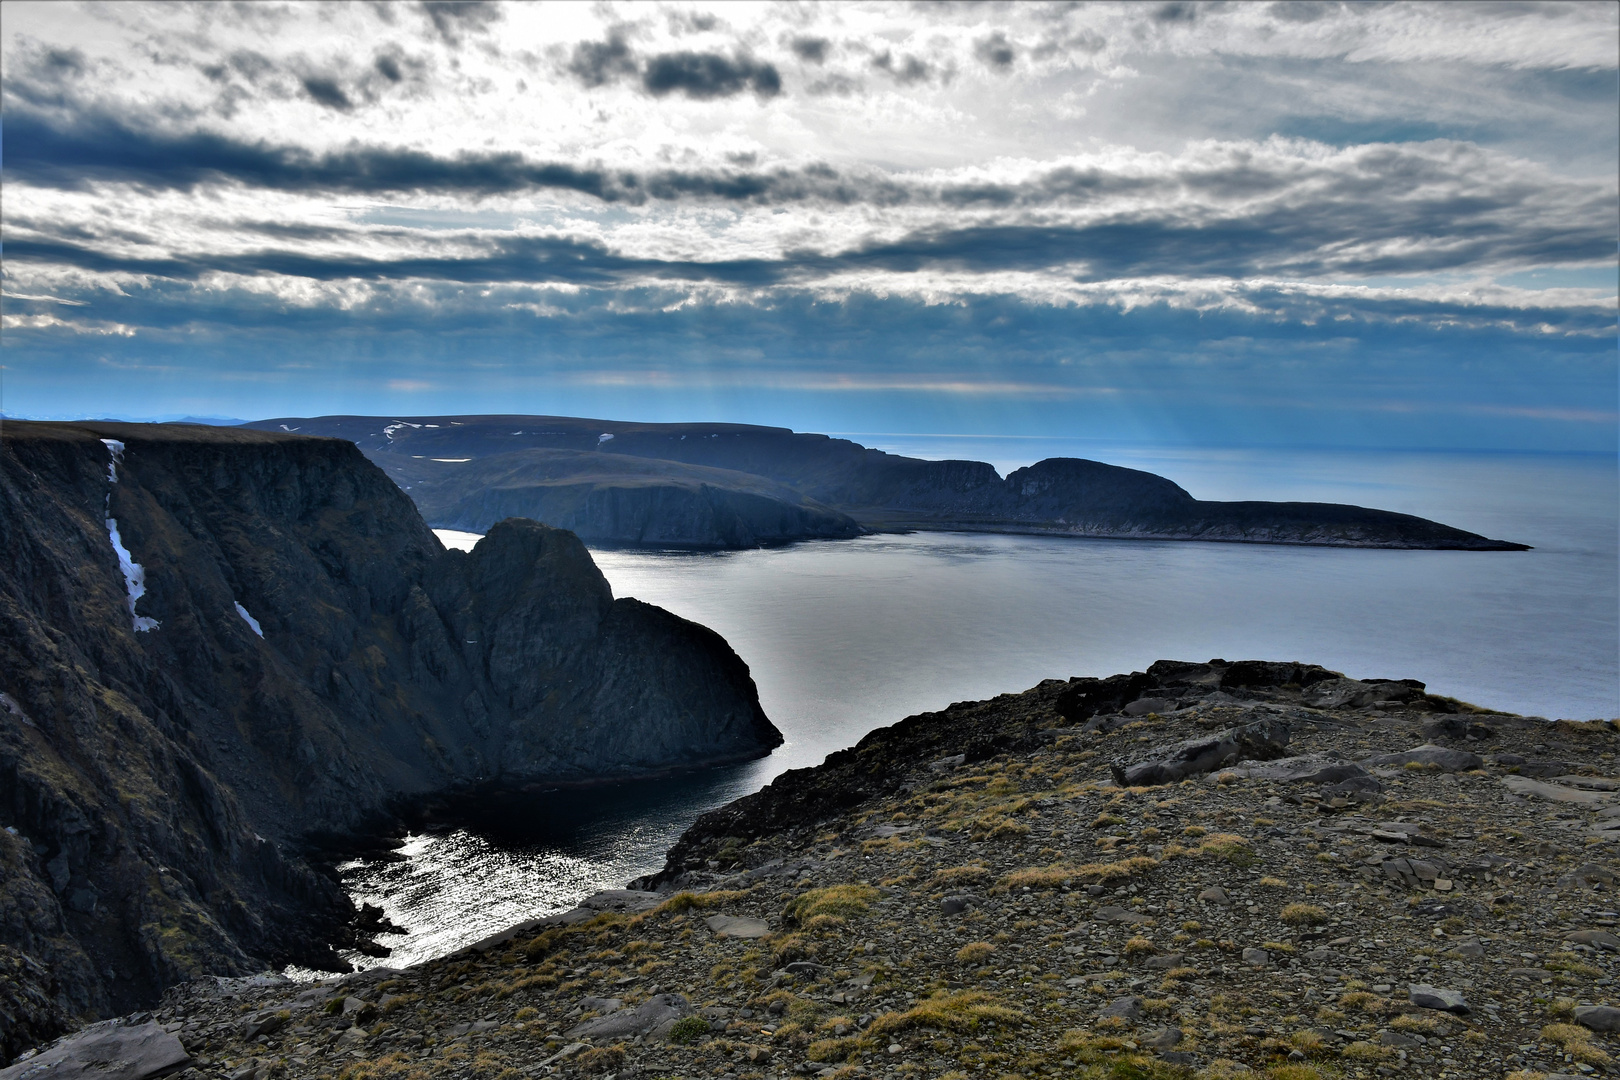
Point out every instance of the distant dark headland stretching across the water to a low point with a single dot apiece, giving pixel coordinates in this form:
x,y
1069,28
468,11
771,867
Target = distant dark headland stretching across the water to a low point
x,y
748,487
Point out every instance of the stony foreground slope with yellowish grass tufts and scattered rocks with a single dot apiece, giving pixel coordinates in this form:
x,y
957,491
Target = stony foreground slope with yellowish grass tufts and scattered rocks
x,y
1201,870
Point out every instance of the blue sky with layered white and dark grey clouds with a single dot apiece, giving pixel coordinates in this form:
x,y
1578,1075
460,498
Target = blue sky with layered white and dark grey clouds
x,y
1179,224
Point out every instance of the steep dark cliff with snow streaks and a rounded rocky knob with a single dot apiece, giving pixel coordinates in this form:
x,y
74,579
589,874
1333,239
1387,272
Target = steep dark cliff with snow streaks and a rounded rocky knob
x,y
158,784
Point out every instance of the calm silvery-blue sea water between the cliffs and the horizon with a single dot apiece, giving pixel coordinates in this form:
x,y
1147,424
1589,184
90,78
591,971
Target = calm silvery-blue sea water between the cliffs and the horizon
x,y
850,636
